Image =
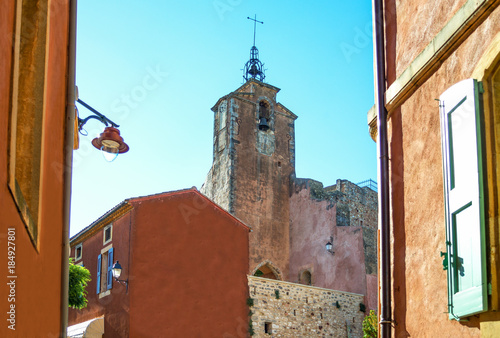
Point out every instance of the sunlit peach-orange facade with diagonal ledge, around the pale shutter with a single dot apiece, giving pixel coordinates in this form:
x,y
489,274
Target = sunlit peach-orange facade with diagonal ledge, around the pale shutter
x,y
430,47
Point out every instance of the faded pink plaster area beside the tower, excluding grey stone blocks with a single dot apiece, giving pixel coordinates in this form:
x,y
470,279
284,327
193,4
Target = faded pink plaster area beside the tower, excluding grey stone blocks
x,y
312,223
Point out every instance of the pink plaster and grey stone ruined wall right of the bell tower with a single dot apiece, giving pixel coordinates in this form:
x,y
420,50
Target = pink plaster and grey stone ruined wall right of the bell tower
x,y
345,215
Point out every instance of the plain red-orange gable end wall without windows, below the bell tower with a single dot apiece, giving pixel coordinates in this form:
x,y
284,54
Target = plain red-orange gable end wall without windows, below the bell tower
x,y
188,269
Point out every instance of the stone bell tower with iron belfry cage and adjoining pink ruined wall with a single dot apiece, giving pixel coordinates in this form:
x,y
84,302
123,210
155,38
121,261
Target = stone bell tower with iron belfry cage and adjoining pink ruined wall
x,y
302,232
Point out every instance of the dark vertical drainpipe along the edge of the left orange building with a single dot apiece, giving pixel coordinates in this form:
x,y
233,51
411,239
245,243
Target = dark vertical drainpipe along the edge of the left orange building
x,y
68,164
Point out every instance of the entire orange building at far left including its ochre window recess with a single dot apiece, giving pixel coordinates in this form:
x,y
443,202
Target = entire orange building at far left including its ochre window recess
x,y
36,134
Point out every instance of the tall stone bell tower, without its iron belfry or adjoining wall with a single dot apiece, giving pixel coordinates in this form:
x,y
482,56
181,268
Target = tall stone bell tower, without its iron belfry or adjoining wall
x,y
252,167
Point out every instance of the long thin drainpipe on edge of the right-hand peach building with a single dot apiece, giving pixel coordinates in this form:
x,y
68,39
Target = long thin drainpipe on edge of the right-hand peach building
x,y
383,170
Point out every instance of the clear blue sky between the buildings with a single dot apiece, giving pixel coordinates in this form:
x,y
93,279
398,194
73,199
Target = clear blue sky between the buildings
x,y
157,67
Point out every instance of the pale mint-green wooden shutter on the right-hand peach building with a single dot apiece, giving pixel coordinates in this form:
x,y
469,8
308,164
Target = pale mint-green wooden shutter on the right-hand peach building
x,y
464,200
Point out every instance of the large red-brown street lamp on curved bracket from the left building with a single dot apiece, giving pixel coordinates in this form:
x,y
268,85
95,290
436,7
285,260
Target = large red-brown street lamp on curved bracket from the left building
x,y
109,142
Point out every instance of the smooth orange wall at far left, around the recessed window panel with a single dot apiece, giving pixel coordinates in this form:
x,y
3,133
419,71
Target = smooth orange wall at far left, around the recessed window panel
x,y
38,283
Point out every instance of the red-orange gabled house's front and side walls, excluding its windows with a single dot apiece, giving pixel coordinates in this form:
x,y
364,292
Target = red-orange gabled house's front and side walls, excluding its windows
x,y
186,261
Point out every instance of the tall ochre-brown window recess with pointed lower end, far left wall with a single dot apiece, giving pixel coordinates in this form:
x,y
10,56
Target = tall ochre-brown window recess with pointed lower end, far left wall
x,y
27,111
